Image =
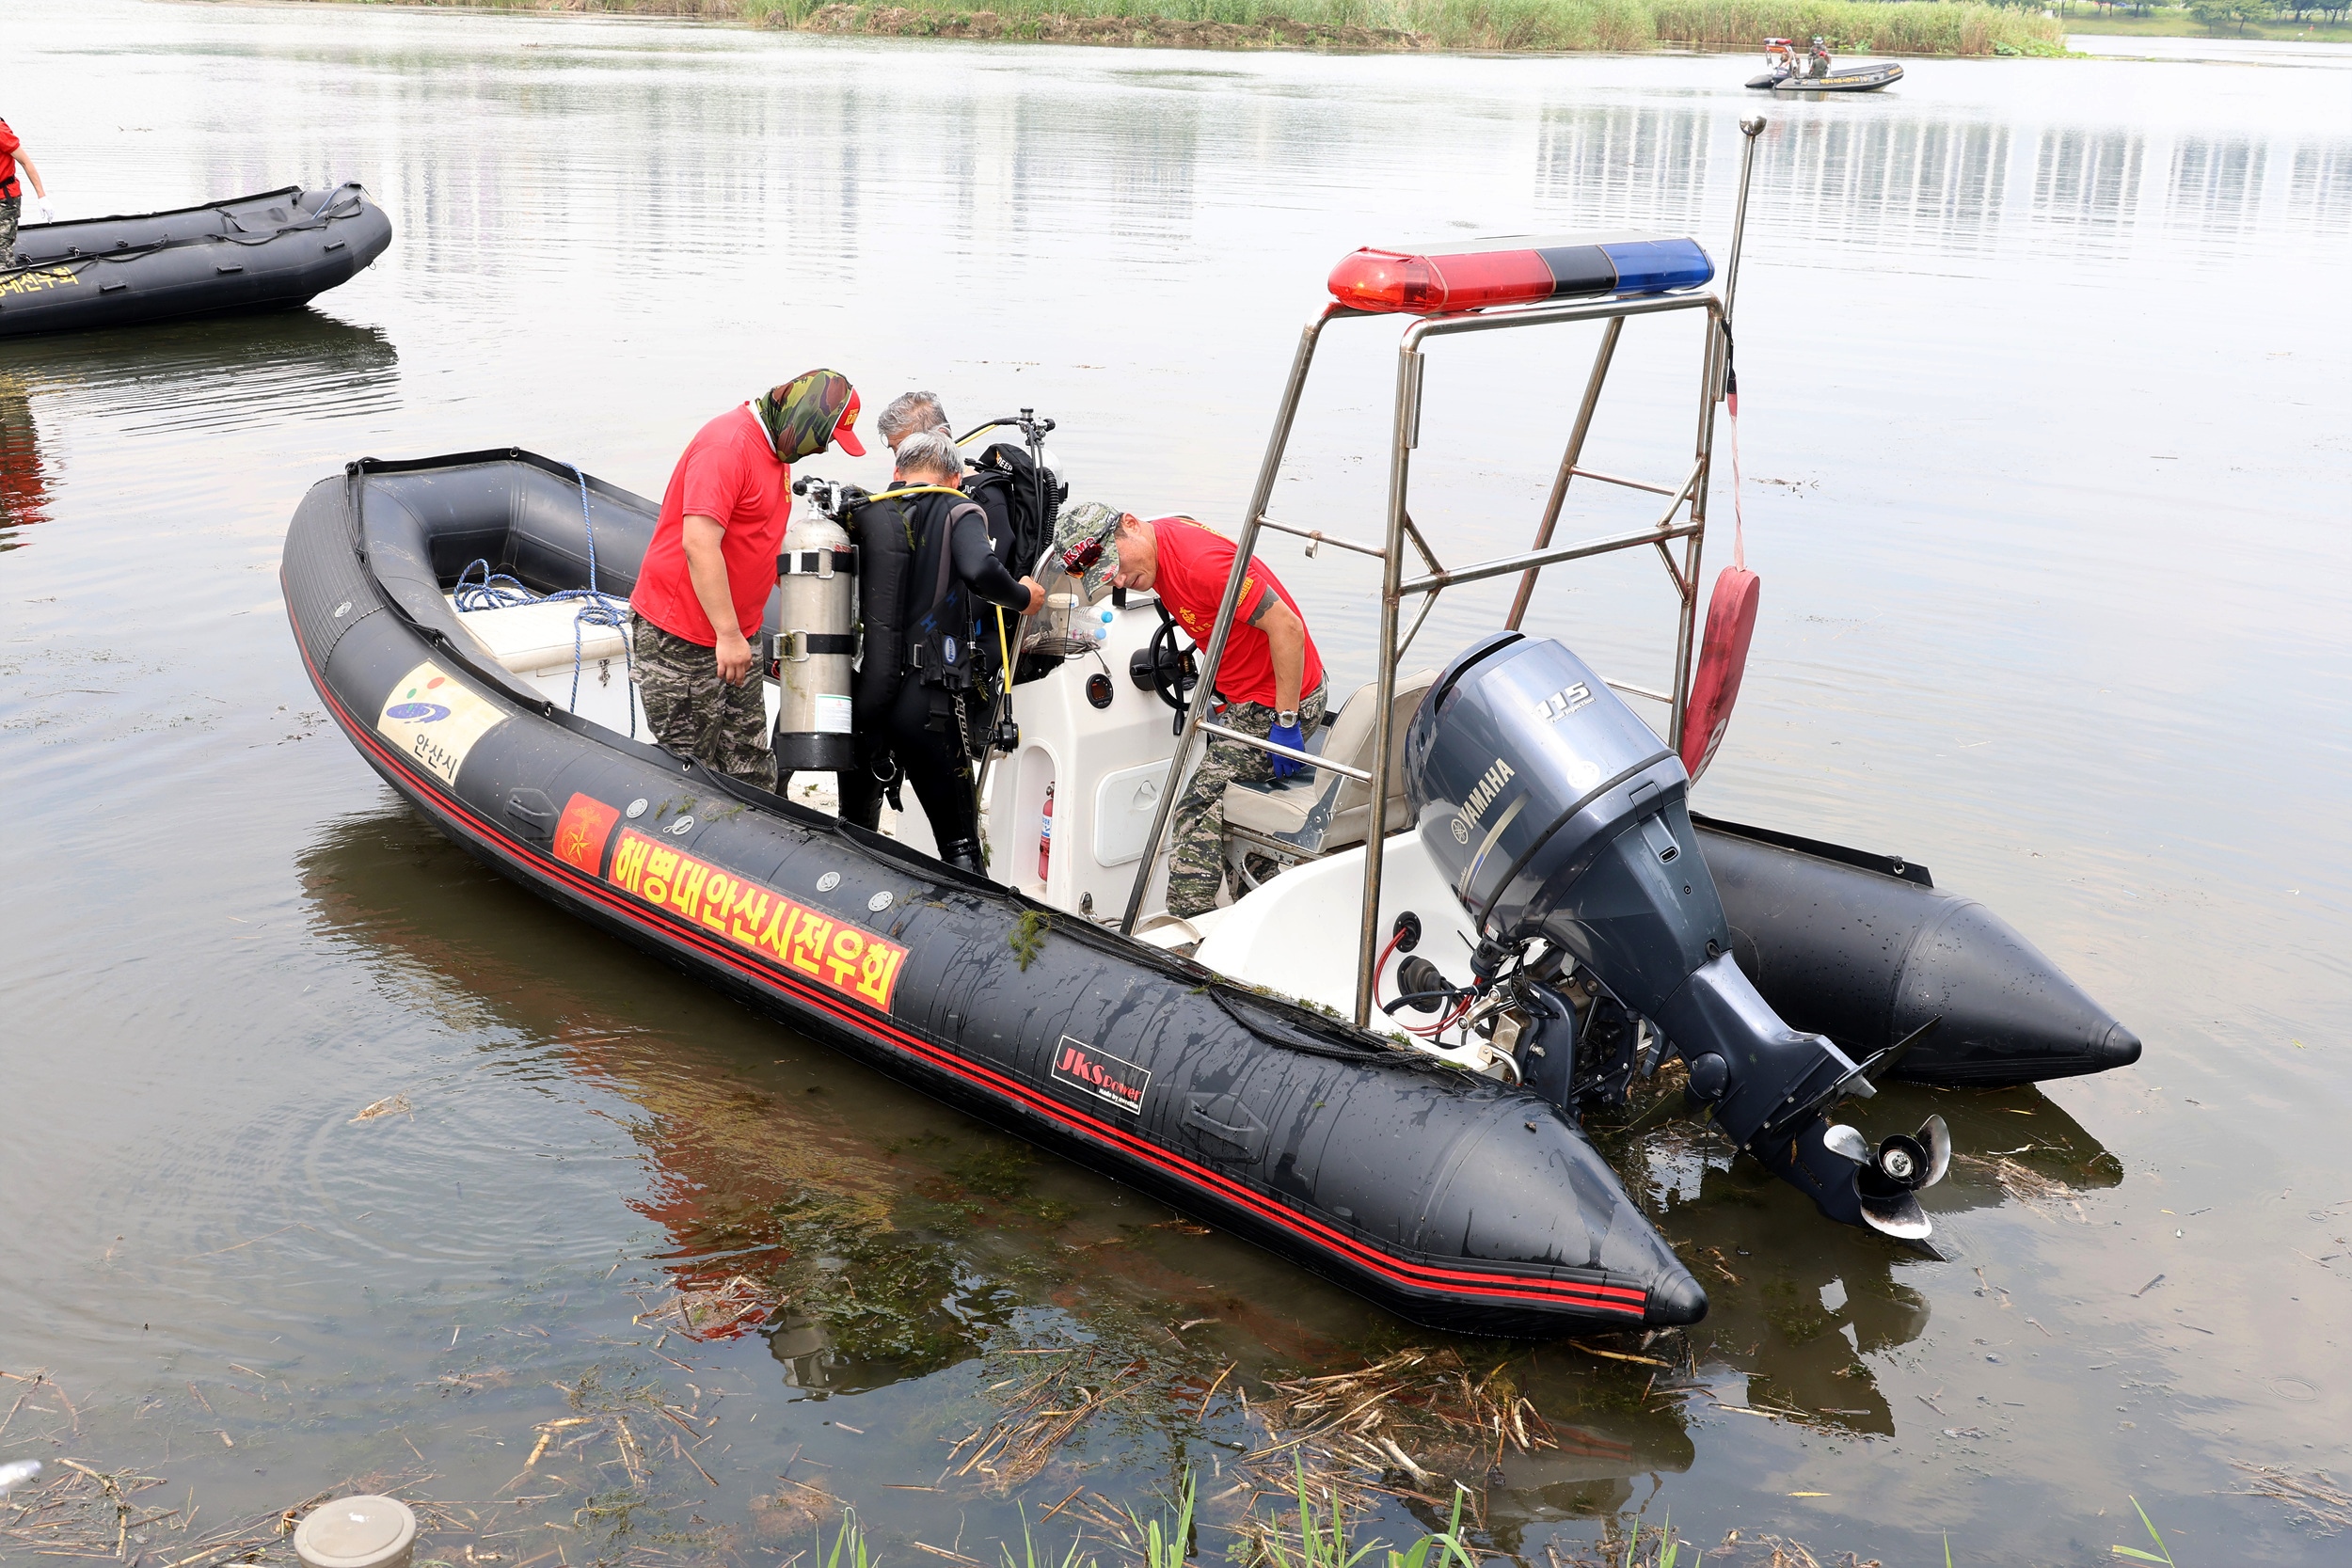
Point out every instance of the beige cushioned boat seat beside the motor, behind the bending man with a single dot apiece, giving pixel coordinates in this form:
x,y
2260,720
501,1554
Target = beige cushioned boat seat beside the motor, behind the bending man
x,y
1318,812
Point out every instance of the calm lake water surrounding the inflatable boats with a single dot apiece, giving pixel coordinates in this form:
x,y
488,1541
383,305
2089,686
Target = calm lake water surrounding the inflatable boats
x,y
2045,431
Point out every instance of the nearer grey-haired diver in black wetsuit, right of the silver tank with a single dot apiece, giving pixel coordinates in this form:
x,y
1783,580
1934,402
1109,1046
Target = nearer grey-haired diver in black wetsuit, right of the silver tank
x,y
956,570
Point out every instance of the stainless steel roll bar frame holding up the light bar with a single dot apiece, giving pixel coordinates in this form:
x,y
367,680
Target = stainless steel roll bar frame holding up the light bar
x,y
1405,436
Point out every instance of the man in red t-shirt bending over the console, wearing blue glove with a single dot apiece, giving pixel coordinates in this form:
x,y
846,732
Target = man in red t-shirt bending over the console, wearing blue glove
x,y
1271,683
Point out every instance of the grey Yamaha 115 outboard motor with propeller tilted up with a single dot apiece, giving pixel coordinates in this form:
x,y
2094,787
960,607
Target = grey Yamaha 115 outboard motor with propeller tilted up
x,y
1561,817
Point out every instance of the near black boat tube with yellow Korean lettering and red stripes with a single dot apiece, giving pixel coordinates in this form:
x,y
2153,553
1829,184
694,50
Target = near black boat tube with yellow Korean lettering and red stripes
x,y
1445,1198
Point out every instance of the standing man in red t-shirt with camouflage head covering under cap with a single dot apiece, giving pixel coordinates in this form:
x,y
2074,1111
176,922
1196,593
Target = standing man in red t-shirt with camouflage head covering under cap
x,y
702,591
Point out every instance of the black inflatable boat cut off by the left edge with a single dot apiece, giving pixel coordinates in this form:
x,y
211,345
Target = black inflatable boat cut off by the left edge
x,y
258,253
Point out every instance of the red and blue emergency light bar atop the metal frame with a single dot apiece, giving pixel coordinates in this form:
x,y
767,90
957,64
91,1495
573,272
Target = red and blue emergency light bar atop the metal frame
x,y
1518,272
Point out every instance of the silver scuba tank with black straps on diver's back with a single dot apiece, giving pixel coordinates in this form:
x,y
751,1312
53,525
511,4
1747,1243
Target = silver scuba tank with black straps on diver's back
x,y
817,572
